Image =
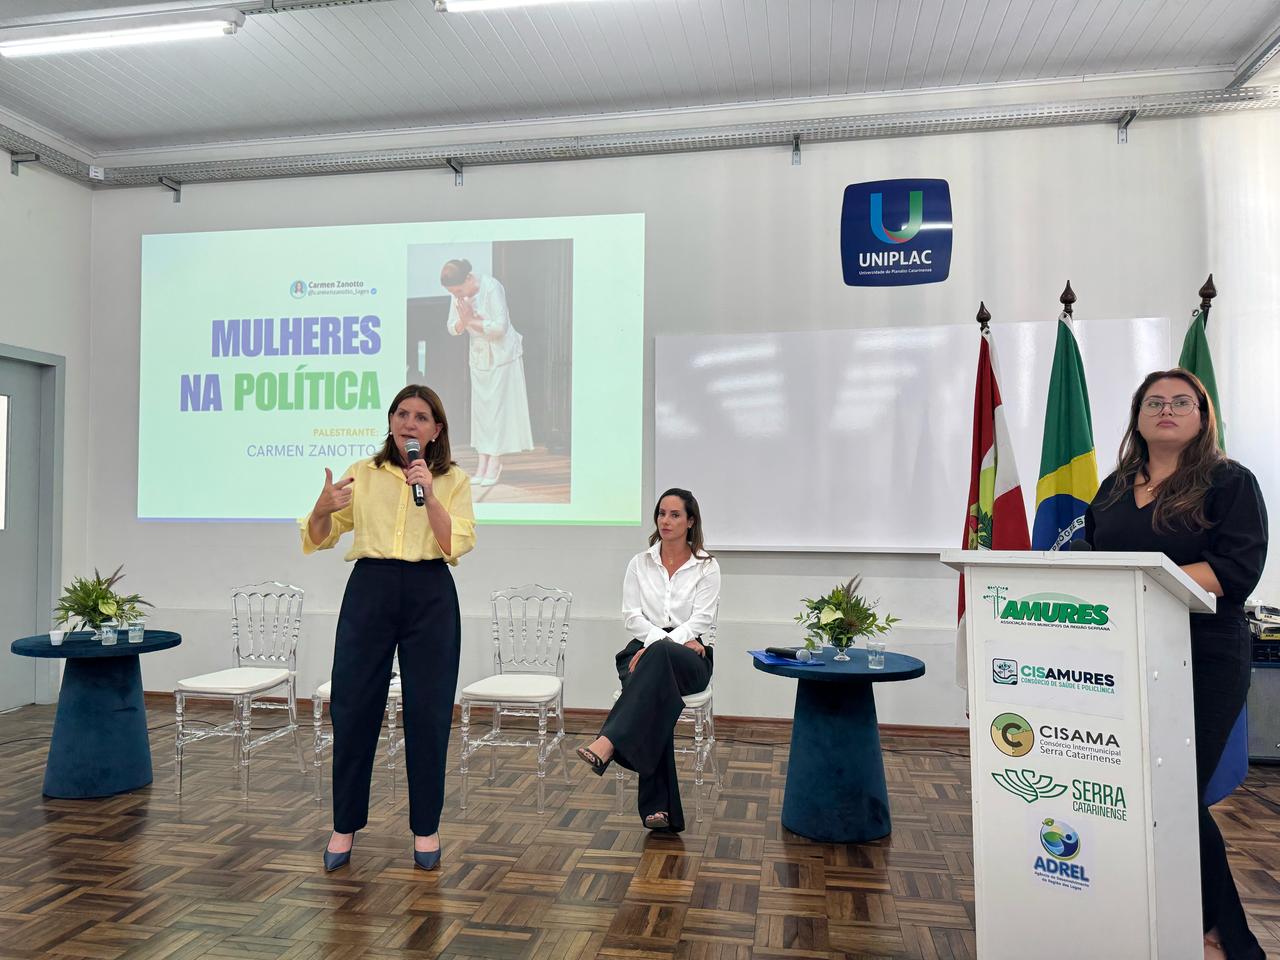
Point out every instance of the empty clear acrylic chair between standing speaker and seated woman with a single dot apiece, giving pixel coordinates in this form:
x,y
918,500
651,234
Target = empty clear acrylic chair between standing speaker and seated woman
x,y
531,633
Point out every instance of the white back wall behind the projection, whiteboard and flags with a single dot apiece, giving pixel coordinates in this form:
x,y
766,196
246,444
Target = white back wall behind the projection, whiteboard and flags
x,y
737,241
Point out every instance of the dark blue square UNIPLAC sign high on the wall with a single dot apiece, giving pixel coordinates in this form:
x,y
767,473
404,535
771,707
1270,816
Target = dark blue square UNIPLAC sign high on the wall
x,y
894,234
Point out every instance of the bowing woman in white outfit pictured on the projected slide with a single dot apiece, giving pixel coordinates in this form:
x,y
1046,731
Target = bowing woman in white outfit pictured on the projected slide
x,y
500,400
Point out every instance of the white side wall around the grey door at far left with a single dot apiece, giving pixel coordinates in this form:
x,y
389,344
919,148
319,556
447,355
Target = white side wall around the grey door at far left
x,y
45,284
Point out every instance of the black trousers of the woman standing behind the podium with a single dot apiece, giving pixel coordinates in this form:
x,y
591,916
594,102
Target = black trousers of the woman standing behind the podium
x,y
1220,683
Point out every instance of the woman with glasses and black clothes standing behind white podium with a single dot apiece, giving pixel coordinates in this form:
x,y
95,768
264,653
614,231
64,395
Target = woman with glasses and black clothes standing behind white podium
x,y
1176,493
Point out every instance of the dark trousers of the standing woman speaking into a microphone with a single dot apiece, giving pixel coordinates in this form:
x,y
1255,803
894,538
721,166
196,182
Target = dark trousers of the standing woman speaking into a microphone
x,y
414,607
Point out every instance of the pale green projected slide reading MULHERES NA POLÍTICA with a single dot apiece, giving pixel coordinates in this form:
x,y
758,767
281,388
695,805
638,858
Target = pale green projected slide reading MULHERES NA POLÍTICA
x,y
271,355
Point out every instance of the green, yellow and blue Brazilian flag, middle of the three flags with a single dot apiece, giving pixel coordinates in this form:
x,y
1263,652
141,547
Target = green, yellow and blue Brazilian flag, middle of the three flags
x,y
1069,467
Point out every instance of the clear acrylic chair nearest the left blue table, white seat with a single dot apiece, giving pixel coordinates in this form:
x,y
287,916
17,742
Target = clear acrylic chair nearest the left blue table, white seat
x,y
267,620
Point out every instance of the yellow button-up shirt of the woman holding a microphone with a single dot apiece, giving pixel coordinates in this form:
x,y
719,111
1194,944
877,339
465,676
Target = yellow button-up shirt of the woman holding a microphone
x,y
390,525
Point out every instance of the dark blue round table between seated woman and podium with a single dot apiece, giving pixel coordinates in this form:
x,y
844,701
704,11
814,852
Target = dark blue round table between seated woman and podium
x,y
835,789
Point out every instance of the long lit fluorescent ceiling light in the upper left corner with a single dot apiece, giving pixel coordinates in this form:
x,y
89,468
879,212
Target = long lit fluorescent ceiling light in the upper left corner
x,y
74,36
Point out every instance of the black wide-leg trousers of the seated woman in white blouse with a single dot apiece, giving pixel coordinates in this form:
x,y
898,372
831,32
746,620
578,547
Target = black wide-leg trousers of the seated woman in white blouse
x,y
642,721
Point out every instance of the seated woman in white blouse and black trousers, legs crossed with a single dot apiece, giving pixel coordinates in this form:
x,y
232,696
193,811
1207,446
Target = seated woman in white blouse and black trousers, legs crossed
x,y
670,596
